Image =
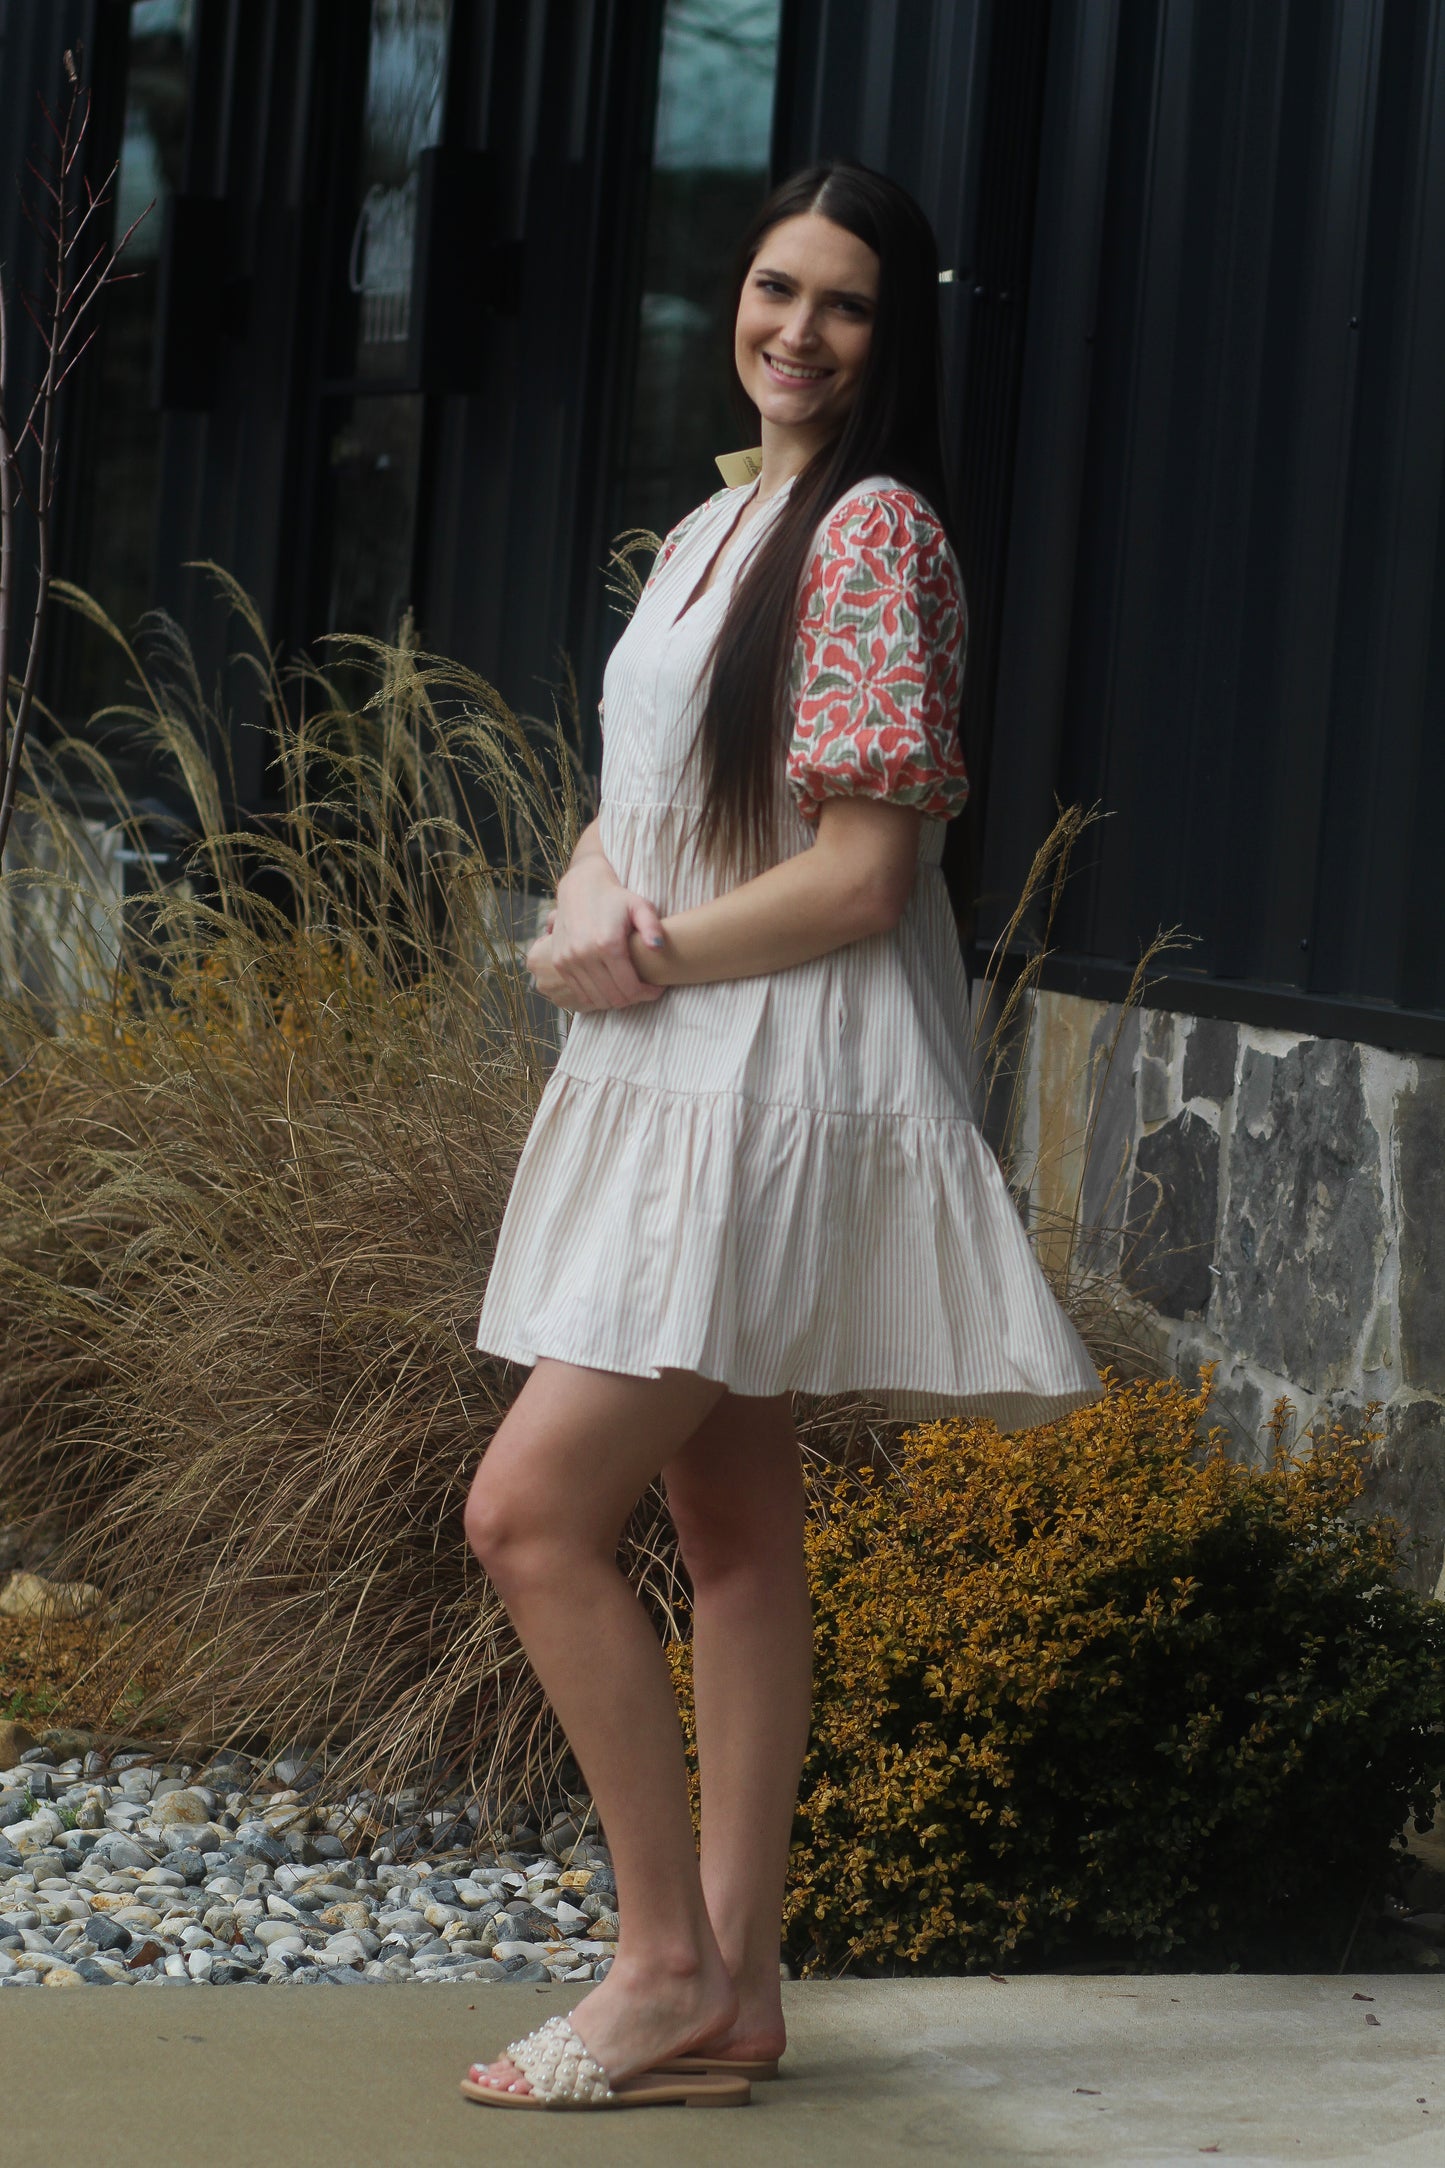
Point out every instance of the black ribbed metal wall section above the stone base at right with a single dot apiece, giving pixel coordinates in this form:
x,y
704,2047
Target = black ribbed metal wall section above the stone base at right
x,y
1225,578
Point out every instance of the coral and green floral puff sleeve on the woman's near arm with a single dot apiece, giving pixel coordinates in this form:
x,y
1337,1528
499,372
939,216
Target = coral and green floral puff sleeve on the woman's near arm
x,y
878,664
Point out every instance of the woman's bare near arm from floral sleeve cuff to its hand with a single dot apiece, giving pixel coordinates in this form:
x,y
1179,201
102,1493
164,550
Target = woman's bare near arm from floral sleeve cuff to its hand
x,y
852,883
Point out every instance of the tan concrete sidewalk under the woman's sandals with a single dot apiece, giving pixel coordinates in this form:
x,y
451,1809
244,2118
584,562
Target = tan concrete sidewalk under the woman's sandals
x,y
1037,2069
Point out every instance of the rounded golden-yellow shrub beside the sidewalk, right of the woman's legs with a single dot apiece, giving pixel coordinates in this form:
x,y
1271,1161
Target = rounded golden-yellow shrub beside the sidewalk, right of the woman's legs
x,y
1097,1688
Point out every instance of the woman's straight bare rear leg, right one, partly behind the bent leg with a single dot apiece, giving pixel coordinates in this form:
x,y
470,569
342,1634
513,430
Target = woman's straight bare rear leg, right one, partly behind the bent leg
x,y
738,1501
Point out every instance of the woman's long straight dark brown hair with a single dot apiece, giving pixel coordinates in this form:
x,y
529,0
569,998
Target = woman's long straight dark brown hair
x,y
891,428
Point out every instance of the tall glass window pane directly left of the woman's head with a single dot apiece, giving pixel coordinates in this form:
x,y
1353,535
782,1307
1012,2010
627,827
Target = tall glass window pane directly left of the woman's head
x,y
710,172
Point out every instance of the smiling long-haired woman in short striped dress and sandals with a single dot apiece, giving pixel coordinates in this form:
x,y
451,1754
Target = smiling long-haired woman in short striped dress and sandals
x,y
755,1167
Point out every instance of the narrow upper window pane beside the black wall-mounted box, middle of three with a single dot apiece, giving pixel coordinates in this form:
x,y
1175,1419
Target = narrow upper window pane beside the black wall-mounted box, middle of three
x,y
406,86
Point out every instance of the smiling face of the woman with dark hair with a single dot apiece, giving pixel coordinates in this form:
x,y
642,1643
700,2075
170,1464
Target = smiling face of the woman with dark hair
x,y
805,326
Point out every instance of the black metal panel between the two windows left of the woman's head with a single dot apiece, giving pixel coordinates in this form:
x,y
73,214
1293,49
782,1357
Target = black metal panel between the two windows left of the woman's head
x,y
523,508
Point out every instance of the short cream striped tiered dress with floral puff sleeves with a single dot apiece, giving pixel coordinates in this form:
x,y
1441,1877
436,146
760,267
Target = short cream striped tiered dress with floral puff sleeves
x,y
777,1180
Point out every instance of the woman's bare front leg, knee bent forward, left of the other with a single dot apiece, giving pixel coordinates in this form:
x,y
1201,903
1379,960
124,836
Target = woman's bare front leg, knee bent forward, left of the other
x,y
545,1517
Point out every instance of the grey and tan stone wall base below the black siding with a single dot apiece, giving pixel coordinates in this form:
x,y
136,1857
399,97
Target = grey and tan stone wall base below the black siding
x,y
1279,1204
